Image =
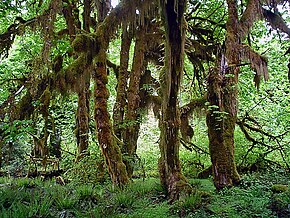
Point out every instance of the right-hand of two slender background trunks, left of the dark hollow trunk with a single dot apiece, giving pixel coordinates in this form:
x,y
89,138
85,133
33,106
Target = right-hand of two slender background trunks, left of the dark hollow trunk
x,y
133,106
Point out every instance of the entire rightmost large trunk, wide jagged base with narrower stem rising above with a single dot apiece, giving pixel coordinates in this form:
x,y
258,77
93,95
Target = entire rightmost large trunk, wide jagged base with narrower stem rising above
x,y
222,115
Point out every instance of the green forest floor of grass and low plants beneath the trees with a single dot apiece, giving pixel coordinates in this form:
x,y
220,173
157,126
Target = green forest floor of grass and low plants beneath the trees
x,y
259,195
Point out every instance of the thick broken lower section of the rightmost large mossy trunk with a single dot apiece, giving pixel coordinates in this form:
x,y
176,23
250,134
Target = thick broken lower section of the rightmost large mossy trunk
x,y
221,125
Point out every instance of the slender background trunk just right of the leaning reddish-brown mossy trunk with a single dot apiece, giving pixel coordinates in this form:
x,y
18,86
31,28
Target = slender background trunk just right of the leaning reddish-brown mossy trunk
x,y
119,107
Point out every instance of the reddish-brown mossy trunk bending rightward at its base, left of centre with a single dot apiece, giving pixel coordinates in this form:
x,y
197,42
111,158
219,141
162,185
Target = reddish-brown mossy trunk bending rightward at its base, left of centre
x,y
107,141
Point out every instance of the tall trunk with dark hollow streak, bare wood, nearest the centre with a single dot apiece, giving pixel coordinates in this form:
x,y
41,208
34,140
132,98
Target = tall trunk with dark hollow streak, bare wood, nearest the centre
x,y
169,165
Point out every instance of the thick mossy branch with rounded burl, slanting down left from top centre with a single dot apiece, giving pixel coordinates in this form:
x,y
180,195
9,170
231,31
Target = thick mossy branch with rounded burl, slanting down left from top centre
x,y
91,44
